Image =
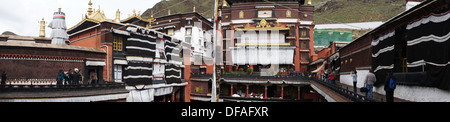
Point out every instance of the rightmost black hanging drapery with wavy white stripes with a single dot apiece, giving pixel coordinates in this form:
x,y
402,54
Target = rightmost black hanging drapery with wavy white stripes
x,y
428,48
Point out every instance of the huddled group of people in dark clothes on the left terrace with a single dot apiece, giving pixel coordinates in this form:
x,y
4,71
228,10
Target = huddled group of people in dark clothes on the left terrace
x,y
69,78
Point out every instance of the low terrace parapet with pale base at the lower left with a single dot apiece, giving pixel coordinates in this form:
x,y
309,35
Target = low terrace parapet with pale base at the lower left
x,y
63,93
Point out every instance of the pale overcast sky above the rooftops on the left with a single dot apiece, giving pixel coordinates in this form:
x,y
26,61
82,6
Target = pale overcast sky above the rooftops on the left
x,y
22,16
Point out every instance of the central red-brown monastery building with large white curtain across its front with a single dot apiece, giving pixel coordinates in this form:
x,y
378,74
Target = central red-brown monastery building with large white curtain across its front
x,y
260,33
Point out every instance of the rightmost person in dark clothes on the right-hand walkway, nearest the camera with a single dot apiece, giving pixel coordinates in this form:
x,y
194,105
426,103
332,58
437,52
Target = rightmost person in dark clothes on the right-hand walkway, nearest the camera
x,y
389,86
